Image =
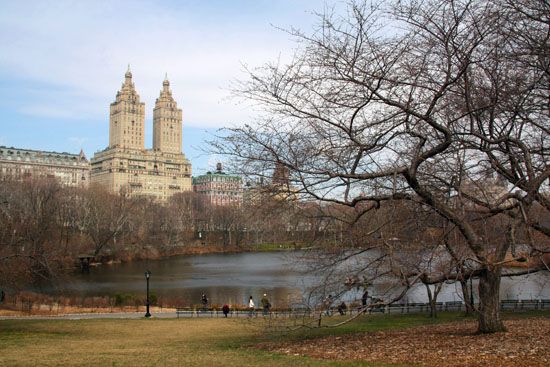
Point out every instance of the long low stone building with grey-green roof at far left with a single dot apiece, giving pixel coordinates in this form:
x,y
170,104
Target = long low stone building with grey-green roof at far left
x,y
69,169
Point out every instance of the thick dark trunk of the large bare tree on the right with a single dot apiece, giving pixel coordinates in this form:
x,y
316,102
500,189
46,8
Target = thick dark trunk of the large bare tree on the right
x,y
489,301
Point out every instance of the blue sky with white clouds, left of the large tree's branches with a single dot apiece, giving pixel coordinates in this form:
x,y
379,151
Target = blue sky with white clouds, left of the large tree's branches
x,y
62,62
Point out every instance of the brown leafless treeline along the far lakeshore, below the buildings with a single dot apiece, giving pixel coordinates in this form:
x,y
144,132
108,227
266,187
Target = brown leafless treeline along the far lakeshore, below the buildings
x,y
45,227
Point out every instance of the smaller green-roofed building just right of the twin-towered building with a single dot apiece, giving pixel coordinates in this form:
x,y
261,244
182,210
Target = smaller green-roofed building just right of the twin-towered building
x,y
220,188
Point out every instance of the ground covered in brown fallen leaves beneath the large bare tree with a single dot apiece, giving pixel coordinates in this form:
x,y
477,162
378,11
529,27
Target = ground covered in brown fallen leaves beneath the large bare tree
x,y
526,343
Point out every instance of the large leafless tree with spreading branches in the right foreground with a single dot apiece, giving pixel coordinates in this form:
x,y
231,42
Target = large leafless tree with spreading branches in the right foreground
x,y
419,101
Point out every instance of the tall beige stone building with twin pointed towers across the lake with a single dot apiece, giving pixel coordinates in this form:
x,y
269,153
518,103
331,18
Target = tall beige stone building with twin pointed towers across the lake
x,y
125,165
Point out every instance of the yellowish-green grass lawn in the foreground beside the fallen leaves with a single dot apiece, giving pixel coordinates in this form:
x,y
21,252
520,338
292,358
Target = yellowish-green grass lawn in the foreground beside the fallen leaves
x,y
168,342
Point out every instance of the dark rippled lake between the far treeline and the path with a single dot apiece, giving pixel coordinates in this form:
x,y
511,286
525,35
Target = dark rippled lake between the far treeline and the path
x,y
232,278
